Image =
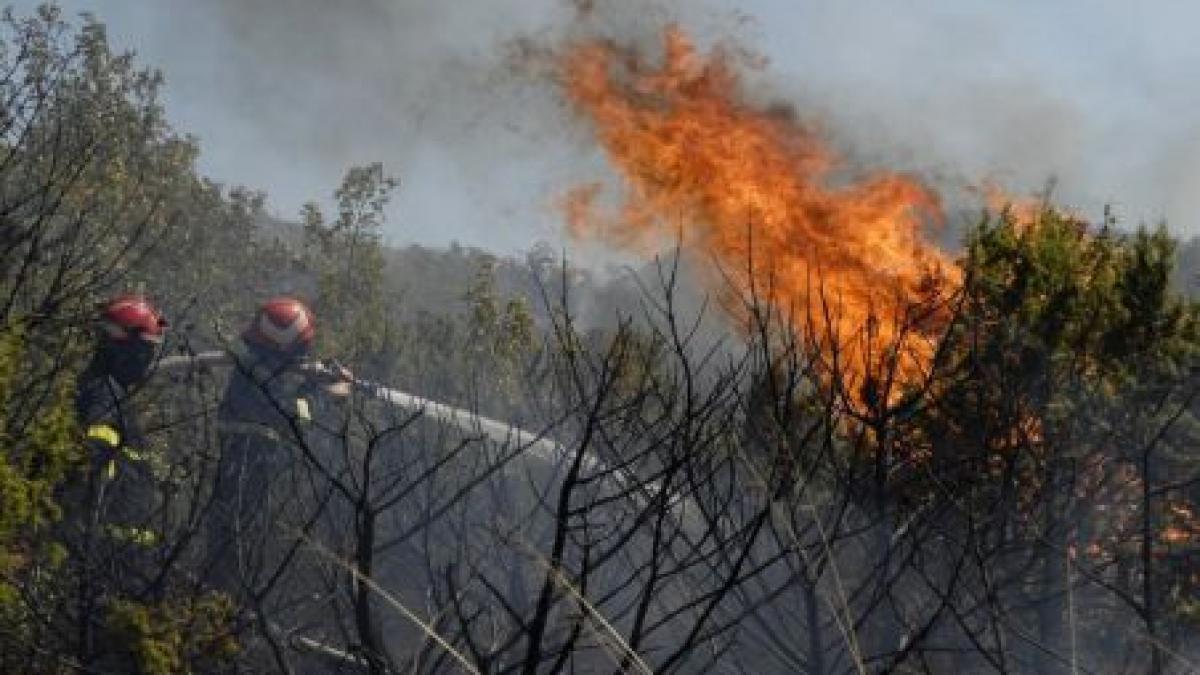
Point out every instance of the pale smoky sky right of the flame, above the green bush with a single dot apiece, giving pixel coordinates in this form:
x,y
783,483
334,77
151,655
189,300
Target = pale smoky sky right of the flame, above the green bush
x,y
1095,97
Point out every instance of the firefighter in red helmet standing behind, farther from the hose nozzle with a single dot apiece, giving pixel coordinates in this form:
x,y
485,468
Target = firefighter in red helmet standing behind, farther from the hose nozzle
x,y
109,507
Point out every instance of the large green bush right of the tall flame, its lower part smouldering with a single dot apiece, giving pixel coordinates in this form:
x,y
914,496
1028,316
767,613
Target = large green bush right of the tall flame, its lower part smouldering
x,y
1069,366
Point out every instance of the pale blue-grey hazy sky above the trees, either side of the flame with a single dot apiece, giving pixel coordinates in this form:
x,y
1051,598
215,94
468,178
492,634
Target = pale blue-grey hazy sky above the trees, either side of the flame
x,y
285,95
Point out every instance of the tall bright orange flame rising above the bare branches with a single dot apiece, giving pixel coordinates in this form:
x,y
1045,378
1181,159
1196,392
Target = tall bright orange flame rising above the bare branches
x,y
763,196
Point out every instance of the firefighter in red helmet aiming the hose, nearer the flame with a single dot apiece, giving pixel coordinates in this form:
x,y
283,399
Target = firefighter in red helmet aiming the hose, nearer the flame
x,y
267,421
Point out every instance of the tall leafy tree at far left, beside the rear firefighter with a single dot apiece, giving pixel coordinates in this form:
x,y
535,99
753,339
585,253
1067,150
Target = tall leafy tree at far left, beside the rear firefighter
x,y
92,181
